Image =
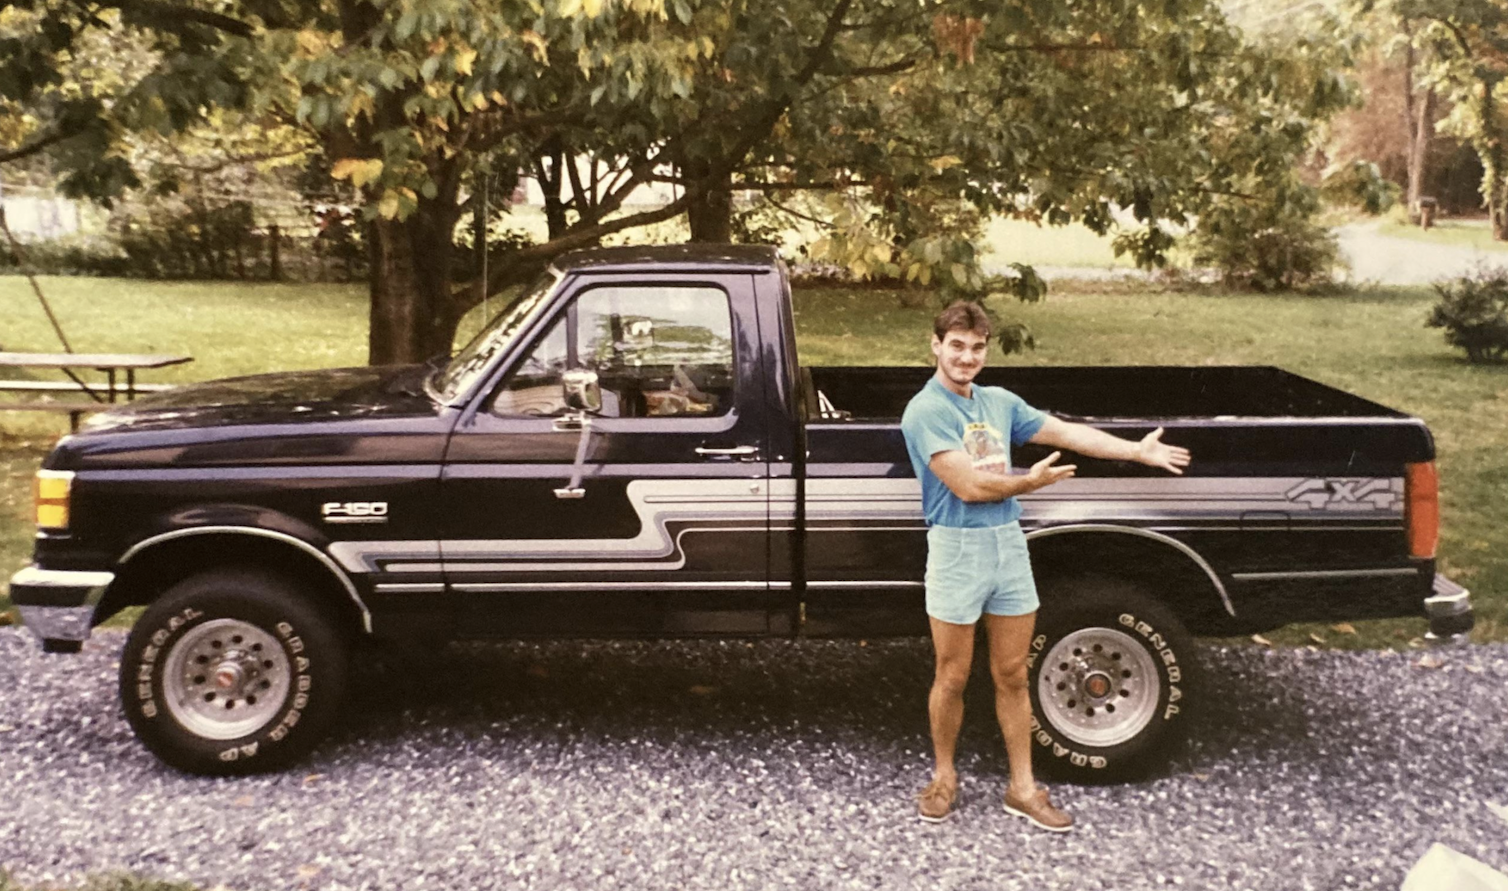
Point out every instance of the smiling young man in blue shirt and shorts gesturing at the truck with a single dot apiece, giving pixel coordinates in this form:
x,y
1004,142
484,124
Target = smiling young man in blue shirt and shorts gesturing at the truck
x,y
960,439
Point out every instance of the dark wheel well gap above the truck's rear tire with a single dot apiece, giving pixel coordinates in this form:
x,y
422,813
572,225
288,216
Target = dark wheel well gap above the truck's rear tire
x,y
1166,574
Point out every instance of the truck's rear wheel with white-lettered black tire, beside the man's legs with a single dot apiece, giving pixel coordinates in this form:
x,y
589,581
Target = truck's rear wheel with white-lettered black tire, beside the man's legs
x,y
1112,678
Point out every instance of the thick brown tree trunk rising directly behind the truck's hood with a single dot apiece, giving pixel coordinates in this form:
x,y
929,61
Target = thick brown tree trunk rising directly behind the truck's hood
x,y
412,313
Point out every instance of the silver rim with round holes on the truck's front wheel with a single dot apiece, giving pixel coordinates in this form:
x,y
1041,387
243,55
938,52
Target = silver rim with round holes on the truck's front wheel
x,y
225,679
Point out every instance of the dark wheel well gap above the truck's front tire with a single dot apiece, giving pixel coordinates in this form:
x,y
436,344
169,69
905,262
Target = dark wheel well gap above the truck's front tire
x,y
162,566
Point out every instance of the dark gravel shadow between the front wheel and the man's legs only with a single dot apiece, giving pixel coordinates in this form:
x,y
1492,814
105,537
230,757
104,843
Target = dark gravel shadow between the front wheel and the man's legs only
x,y
649,690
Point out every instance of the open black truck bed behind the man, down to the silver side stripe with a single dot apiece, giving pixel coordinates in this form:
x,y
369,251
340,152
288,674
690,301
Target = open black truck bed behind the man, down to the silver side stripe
x,y
1239,421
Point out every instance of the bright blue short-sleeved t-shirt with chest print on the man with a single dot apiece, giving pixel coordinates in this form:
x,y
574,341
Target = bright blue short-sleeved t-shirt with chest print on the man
x,y
984,426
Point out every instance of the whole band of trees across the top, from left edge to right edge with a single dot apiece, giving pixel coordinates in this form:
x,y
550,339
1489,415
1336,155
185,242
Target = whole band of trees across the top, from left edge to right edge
x,y
886,129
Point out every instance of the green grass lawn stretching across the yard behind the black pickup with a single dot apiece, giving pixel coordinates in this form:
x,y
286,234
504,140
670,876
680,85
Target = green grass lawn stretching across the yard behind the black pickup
x,y
1373,344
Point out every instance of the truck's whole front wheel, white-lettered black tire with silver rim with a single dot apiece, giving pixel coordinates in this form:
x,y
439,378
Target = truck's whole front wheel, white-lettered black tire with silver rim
x,y
244,638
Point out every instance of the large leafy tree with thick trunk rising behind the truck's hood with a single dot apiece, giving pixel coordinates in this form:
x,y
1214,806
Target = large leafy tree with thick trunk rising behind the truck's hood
x,y
897,126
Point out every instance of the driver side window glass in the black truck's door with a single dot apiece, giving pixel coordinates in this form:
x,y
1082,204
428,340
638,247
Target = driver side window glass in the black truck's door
x,y
660,352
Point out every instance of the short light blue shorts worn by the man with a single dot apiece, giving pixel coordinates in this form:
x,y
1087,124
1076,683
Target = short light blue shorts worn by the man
x,y
972,572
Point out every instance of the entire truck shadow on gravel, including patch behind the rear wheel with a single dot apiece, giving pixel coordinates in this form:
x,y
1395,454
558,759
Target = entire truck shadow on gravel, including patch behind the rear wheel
x,y
702,694
